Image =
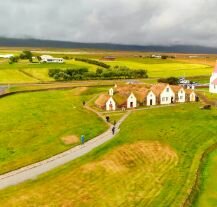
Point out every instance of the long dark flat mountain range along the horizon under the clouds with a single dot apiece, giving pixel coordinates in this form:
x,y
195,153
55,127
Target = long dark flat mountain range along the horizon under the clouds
x,y
11,42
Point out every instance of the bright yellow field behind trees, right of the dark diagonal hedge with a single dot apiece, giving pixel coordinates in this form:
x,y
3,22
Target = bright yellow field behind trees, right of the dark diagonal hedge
x,y
168,69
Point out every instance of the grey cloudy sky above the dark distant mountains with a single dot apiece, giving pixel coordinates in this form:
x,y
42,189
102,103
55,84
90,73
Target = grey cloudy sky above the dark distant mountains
x,y
143,22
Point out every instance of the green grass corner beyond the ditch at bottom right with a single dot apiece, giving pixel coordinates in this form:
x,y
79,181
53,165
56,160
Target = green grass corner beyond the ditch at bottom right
x,y
208,191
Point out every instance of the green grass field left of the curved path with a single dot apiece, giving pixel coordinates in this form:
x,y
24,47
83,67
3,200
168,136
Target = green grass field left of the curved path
x,y
32,125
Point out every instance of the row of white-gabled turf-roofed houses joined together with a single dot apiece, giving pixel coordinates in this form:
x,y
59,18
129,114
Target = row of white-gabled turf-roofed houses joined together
x,y
132,96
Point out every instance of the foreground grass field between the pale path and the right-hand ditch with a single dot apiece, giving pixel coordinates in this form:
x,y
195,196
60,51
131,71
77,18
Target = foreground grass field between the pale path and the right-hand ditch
x,y
151,162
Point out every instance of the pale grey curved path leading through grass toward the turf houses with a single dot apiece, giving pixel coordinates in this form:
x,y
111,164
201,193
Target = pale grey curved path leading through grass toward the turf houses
x,y
32,171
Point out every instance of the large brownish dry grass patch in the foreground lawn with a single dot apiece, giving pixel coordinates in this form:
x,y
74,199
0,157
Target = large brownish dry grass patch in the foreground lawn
x,y
128,175
